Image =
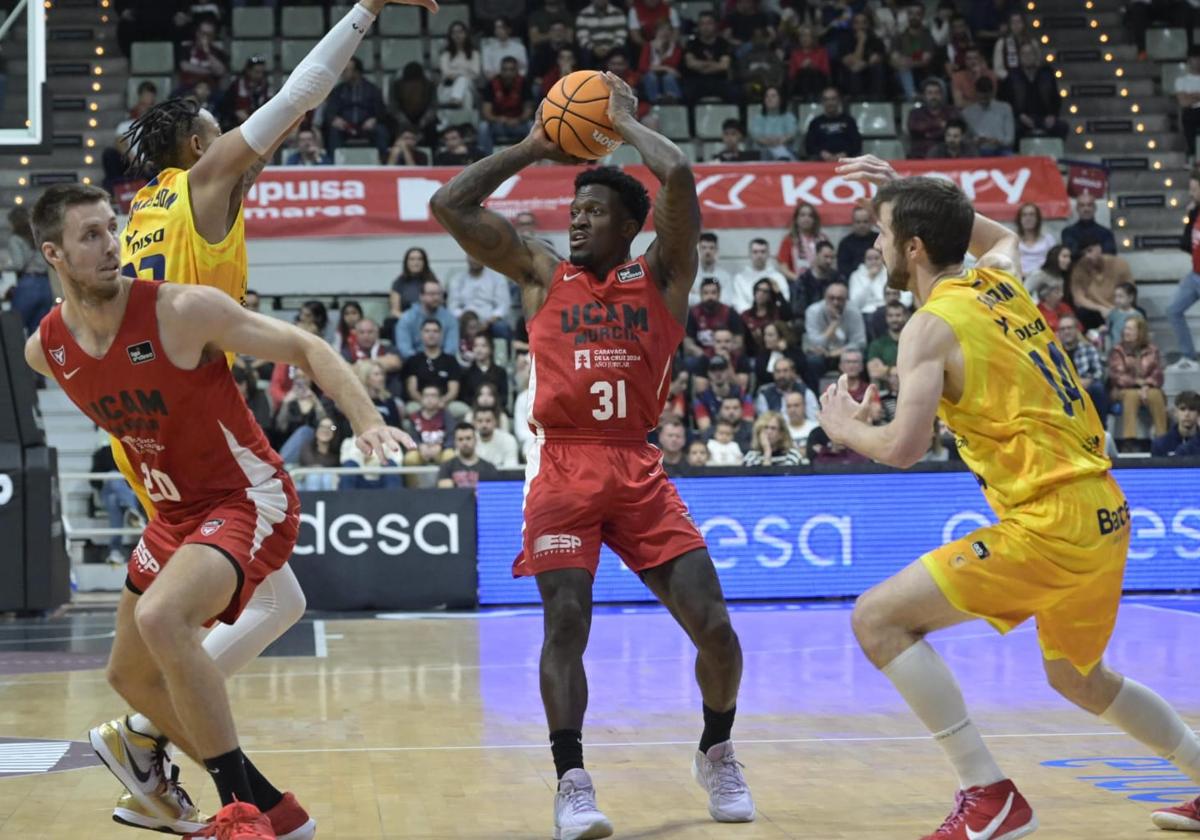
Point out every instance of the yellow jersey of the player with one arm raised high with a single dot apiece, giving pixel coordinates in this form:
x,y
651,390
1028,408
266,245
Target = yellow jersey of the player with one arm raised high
x,y
160,241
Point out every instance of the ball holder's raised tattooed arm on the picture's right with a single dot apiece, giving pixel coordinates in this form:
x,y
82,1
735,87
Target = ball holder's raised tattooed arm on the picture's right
x,y
673,256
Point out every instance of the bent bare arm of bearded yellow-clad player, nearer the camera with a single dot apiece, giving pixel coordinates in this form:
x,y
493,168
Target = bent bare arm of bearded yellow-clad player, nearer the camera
x,y
926,345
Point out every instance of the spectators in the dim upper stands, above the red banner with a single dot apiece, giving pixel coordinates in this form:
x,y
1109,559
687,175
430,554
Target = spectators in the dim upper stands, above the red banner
x,y
975,71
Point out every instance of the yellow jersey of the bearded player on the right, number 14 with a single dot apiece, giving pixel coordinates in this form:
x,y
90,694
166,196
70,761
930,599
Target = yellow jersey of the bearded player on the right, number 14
x,y
1023,424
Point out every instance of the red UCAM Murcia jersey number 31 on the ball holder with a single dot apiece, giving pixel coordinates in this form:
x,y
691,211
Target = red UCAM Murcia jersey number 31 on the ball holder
x,y
601,353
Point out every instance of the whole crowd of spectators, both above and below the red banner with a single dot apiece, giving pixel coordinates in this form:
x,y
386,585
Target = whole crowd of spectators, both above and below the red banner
x,y
449,358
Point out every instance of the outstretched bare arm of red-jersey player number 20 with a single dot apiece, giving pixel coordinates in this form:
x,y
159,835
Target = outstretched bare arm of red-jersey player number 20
x,y
197,317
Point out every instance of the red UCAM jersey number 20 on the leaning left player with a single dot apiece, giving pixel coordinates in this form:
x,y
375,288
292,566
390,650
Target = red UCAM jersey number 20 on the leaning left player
x,y
188,434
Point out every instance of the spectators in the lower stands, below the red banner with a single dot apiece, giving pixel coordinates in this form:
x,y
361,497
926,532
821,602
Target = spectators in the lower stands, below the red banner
x,y
449,361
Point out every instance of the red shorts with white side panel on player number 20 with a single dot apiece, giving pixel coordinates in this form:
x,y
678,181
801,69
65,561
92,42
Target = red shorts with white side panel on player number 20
x,y
256,530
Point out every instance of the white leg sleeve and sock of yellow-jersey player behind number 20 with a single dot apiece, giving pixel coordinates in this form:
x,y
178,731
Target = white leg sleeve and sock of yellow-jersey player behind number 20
x,y
277,605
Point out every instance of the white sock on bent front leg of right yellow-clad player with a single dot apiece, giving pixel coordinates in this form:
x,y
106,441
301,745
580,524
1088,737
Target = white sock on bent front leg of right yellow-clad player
x,y
933,694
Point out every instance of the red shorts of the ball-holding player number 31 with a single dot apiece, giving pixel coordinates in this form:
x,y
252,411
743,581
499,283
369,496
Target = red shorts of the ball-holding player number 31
x,y
580,495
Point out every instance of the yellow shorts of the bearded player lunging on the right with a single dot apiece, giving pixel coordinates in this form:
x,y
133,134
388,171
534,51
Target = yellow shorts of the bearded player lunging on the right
x,y
1060,559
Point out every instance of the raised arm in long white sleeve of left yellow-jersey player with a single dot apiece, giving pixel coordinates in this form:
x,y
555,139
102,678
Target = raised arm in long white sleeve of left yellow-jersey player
x,y
235,160
